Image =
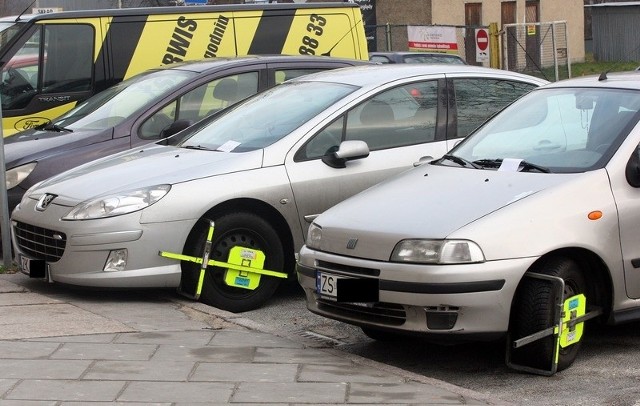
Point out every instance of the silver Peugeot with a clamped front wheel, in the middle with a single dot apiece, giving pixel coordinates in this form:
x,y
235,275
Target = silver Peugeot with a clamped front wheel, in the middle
x,y
261,171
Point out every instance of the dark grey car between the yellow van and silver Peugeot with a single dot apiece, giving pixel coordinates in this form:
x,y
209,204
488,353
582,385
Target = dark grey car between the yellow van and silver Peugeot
x,y
145,108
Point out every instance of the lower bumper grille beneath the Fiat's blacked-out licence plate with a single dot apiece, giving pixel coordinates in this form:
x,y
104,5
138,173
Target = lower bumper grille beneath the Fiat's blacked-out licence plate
x,y
379,313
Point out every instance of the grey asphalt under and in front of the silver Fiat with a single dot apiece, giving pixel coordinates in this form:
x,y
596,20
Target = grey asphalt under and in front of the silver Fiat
x,y
607,371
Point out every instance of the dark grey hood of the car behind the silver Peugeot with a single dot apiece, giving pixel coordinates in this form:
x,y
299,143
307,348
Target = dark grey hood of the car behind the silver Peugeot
x,y
33,145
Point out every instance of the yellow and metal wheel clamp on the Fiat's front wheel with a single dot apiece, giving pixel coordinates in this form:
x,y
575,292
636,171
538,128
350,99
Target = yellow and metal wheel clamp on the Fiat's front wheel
x,y
567,327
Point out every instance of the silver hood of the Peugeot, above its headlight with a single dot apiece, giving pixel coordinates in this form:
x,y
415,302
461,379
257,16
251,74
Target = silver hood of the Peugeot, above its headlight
x,y
153,165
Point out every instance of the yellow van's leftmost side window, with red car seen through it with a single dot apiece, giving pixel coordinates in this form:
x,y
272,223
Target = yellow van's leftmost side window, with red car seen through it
x,y
20,75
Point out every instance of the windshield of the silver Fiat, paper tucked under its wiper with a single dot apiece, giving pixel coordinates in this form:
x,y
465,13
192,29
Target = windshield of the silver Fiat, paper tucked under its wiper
x,y
565,130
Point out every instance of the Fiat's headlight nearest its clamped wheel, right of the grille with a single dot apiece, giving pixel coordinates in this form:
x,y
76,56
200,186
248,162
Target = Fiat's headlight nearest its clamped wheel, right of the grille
x,y
437,252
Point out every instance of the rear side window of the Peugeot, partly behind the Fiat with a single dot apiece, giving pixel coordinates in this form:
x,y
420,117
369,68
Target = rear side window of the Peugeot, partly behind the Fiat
x,y
478,99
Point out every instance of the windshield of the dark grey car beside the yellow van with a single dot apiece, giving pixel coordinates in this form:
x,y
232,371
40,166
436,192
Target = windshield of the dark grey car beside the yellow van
x,y
115,104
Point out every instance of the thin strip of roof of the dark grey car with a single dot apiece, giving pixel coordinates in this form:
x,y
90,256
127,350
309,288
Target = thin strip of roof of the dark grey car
x,y
203,65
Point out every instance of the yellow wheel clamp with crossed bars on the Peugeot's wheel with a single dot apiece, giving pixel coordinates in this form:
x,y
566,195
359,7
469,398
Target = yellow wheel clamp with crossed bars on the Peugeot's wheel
x,y
244,266
